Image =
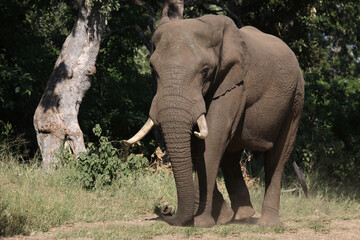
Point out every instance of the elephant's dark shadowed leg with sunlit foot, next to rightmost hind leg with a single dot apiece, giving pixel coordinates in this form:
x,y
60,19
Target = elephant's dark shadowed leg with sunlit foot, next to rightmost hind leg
x,y
236,187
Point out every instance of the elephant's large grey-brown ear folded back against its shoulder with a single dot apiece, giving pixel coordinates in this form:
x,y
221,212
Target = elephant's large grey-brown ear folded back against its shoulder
x,y
233,56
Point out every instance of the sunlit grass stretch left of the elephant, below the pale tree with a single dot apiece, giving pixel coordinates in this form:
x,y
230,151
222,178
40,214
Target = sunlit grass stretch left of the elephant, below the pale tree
x,y
31,200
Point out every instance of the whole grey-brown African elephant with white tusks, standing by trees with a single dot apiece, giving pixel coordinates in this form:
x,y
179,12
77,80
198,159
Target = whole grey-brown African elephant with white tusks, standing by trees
x,y
243,89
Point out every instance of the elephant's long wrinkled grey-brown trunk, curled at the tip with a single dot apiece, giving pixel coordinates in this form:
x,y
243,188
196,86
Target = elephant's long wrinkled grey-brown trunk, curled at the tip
x,y
177,112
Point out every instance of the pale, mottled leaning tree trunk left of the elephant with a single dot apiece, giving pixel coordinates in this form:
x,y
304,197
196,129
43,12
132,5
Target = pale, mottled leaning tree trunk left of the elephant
x,y
55,118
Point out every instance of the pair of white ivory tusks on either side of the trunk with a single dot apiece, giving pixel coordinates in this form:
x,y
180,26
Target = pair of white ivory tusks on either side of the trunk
x,y
149,124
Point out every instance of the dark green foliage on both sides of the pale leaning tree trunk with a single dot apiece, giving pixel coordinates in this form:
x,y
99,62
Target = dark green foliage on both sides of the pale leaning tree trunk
x,y
31,37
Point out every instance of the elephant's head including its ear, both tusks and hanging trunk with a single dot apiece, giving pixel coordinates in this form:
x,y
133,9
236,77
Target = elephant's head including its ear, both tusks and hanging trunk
x,y
195,61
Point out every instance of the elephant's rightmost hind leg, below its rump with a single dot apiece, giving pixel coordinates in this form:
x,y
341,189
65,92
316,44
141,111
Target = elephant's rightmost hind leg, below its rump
x,y
274,162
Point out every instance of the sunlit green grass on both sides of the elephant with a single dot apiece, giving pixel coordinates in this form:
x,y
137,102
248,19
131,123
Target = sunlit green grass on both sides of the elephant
x,y
34,201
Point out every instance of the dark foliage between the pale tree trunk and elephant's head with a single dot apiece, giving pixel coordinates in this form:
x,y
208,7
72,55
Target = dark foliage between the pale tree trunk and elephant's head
x,y
121,93
